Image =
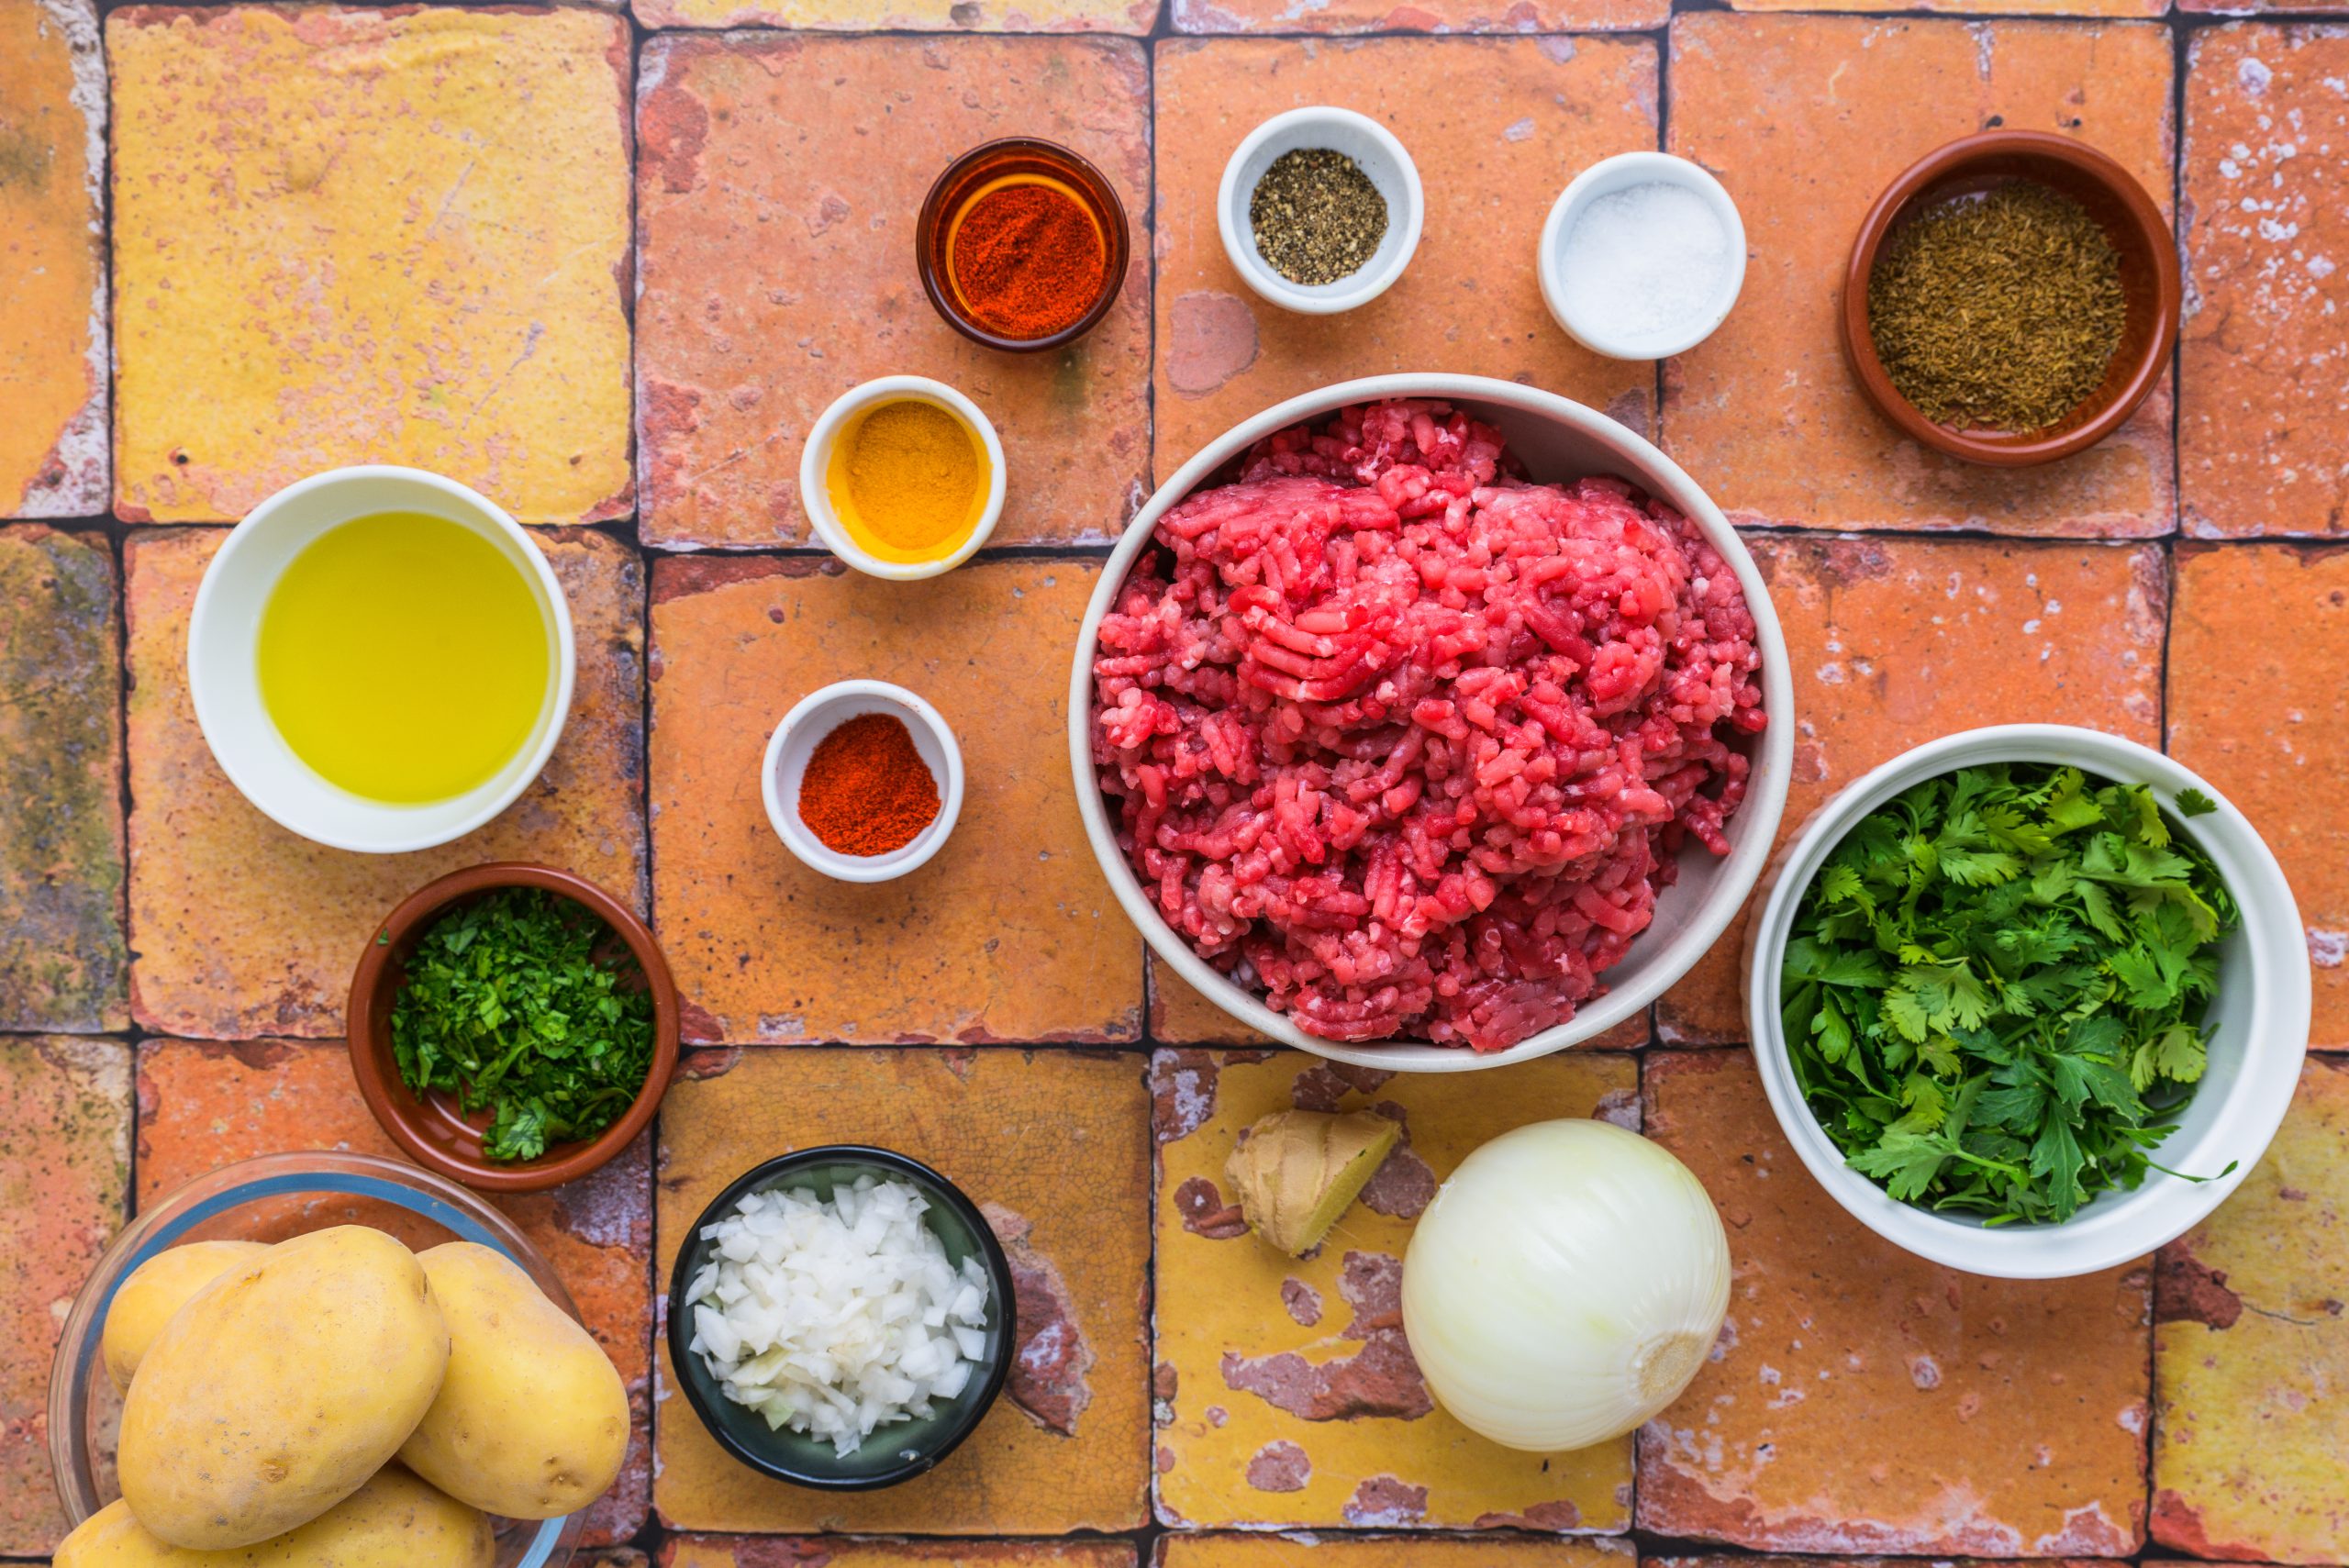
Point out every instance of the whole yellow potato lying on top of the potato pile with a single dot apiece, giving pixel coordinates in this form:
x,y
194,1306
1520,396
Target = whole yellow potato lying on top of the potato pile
x,y
281,1391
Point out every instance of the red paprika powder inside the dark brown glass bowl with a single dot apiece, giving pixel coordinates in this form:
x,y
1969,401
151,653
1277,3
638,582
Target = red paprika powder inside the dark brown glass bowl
x,y
1028,262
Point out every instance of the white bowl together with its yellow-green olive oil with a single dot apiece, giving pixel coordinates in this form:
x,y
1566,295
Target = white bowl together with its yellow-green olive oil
x,y
379,658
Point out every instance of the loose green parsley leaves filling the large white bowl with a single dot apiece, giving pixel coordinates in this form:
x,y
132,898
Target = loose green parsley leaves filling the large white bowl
x,y
1998,982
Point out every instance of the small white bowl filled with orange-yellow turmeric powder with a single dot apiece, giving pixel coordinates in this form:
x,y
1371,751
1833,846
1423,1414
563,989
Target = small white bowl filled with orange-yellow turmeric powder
x,y
903,478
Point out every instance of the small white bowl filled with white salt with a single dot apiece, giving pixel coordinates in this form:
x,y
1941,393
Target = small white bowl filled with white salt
x,y
1643,257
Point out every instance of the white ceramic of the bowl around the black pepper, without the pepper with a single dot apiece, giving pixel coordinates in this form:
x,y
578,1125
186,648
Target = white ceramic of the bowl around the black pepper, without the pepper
x,y
1375,154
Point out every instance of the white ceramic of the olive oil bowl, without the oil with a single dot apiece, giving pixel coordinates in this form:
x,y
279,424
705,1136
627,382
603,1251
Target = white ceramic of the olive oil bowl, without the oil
x,y
224,635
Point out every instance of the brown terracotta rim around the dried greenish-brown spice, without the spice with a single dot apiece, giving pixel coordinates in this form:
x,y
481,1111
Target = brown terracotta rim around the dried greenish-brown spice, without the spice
x,y
1944,163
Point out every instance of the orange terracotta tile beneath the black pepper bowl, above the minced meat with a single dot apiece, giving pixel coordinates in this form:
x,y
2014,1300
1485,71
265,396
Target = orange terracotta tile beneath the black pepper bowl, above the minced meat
x,y
1495,126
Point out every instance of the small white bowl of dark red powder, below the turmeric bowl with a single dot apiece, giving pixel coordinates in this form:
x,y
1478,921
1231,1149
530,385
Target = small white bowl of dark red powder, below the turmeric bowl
x,y
863,780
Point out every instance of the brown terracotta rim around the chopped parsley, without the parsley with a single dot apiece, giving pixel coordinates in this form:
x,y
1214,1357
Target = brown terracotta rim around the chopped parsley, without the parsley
x,y
368,1029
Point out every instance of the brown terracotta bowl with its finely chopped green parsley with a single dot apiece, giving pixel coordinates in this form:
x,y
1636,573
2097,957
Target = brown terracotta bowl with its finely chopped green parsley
x,y
513,1027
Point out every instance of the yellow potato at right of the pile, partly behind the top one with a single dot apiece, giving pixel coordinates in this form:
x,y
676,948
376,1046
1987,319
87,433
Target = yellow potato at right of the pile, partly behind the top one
x,y
532,1419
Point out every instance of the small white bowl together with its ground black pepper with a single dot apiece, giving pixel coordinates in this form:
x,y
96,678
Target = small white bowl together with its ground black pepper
x,y
1321,210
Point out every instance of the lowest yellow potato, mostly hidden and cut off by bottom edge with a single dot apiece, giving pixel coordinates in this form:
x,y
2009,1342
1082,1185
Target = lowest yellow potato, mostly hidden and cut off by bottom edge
x,y
393,1522
